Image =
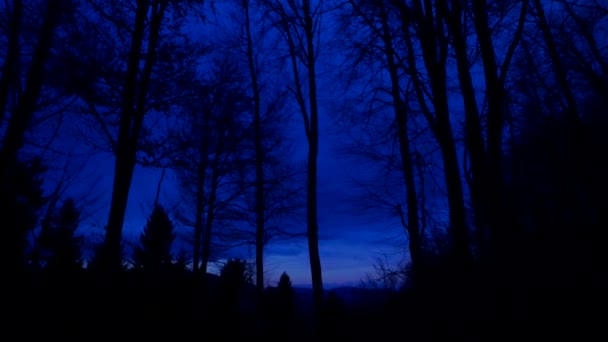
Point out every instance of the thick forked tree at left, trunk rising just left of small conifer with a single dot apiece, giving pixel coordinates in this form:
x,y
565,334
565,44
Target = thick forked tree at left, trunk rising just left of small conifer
x,y
145,39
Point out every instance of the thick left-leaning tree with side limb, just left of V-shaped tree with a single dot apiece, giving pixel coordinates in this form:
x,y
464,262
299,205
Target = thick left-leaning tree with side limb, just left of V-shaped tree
x,y
427,20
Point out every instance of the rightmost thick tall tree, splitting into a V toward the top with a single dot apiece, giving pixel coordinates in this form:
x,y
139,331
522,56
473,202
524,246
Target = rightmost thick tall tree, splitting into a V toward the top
x,y
483,144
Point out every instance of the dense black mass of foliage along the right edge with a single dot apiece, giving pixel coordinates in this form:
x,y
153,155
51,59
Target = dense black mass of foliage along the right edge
x,y
554,204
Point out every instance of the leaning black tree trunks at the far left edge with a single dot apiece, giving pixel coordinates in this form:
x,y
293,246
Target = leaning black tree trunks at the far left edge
x,y
14,172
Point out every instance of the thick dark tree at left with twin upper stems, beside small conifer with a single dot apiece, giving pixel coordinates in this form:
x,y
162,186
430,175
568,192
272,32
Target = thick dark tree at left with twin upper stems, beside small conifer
x,y
146,38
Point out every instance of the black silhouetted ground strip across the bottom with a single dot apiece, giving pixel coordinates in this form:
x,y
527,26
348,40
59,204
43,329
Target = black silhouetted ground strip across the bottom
x,y
88,307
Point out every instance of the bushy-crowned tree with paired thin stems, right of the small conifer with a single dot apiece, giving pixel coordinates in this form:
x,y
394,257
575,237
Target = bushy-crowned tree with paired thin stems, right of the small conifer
x,y
214,152
